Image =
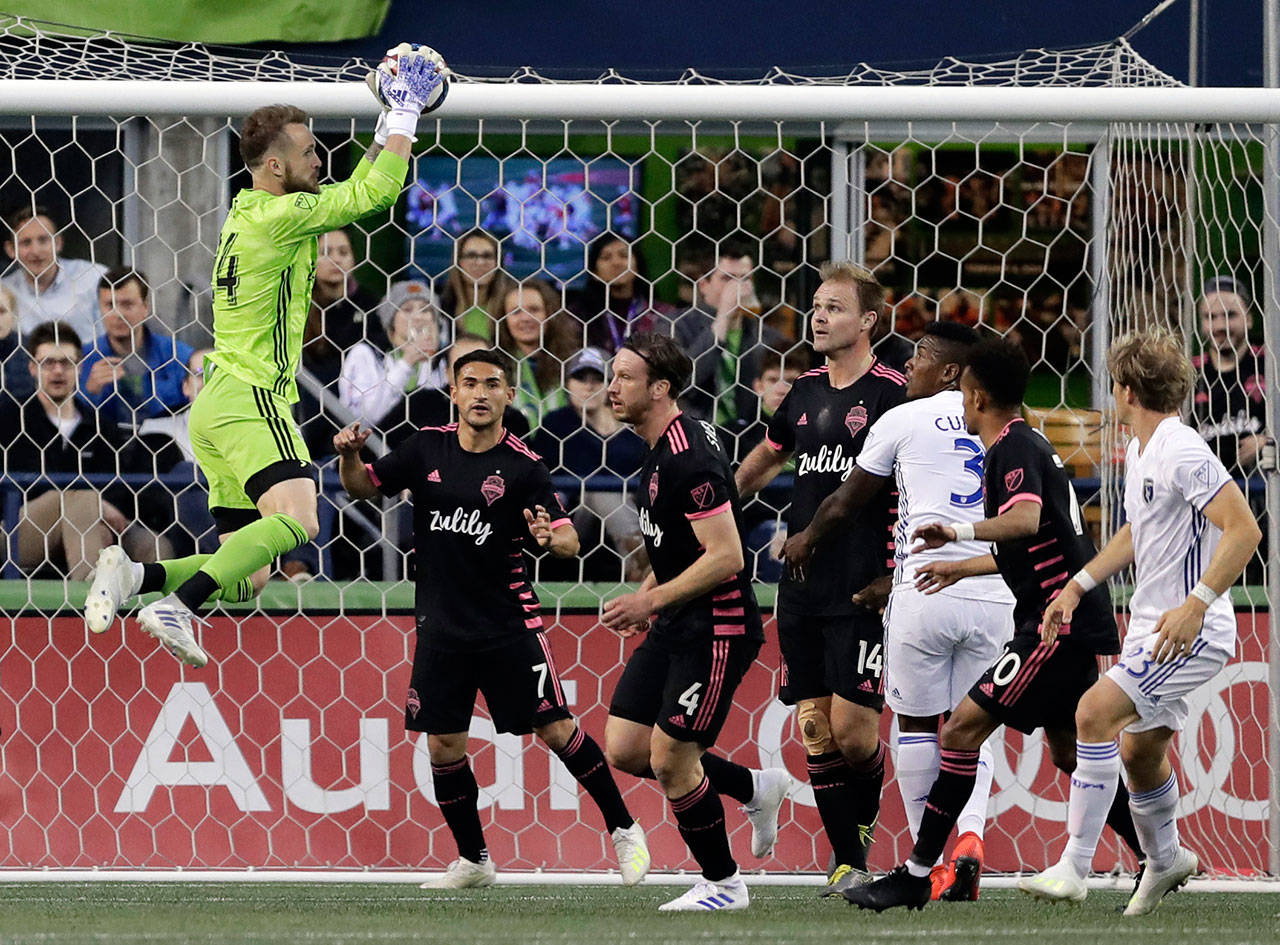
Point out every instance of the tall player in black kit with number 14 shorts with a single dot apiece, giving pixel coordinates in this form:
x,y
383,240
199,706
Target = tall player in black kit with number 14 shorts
x,y
833,647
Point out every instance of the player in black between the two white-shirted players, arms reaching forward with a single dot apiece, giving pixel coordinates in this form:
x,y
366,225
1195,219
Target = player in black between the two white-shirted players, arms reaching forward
x,y
1035,523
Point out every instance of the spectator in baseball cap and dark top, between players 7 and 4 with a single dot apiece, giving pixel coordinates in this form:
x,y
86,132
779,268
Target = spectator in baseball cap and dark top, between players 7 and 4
x,y
586,440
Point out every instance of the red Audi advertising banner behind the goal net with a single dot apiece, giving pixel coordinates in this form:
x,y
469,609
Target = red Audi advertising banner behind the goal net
x,y
290,751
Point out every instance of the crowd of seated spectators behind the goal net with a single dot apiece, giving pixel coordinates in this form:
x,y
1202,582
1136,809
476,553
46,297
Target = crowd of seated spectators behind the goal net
x,y
98,389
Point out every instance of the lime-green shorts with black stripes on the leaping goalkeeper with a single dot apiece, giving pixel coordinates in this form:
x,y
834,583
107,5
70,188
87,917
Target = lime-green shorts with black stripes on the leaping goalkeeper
x,y
246,441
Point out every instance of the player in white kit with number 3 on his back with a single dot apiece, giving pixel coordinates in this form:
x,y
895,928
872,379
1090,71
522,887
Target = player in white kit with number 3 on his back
x,y
938,646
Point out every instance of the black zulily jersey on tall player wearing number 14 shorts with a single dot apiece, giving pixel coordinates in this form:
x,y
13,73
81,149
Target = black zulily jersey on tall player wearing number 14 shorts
x,y
826,427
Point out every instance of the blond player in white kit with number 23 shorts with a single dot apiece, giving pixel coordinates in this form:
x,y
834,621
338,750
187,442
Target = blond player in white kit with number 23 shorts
x,y
1190,537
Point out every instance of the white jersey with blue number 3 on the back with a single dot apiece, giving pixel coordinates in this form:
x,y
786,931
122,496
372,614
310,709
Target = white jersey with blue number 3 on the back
x,y
939,469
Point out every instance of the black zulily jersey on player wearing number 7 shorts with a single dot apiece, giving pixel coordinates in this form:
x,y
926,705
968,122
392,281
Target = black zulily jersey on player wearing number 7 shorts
x,y
472,583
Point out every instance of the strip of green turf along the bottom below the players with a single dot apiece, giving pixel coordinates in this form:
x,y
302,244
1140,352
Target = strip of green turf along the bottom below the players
x,y
300,914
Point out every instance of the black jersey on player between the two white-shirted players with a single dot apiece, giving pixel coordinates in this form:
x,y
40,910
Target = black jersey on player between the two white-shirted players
x,y
1022,467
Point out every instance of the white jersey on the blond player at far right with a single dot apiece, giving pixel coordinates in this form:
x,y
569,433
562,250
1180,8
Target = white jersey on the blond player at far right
x,y
1167,489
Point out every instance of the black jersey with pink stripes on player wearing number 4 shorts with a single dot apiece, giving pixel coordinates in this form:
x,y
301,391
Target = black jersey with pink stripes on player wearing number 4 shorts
x,y
685,478
